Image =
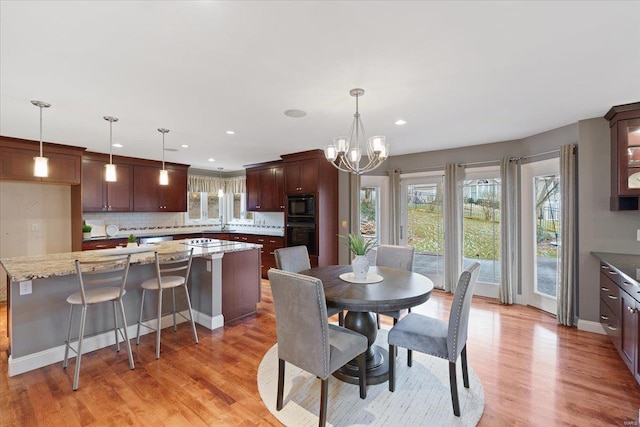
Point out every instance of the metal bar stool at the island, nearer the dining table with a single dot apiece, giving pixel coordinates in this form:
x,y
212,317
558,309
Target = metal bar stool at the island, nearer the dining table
x,y
172,271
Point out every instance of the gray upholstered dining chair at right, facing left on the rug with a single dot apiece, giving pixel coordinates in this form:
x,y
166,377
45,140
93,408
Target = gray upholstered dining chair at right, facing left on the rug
x,y
437,337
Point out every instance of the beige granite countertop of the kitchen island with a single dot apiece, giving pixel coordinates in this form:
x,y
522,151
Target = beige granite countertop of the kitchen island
x,y
63,264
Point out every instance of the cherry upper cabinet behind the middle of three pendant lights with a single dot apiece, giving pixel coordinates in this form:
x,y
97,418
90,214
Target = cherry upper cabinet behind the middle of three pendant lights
x,y
99,195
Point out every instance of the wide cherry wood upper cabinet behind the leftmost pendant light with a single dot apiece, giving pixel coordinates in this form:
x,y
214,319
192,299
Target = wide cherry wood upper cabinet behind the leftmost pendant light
x,y
16,161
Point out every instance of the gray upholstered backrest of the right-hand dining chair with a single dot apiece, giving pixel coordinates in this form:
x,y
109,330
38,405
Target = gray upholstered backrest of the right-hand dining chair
x,y
460,308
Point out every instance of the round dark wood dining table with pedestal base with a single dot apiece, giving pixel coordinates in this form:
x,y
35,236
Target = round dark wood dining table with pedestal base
x,y
393,289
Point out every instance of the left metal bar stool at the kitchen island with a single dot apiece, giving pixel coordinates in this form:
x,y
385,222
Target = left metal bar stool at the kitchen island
x,y
99,281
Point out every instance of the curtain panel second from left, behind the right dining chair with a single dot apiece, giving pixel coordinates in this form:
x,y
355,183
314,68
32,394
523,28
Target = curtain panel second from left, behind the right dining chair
x,y
453,176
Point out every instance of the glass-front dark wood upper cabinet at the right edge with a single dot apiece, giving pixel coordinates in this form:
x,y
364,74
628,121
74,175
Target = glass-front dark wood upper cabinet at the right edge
x,y
624,121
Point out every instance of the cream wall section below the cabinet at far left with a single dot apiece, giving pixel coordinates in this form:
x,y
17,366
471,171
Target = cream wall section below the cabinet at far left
x,y
35,219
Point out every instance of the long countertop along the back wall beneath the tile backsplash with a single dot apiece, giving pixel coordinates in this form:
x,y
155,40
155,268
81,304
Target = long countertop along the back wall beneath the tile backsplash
x,y
241,229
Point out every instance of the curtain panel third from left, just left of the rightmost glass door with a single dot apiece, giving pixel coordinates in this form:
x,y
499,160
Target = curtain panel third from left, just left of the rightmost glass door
x,y
509,247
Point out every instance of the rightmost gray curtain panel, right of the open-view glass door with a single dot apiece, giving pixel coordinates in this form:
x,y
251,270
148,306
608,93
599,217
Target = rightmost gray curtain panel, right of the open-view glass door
x,y
567,262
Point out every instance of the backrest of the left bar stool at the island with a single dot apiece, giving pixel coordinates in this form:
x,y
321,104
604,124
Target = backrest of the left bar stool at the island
x,y
108,272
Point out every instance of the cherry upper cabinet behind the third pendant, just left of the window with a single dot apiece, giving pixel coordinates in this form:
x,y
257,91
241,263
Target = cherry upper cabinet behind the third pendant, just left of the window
x,y
150,196
